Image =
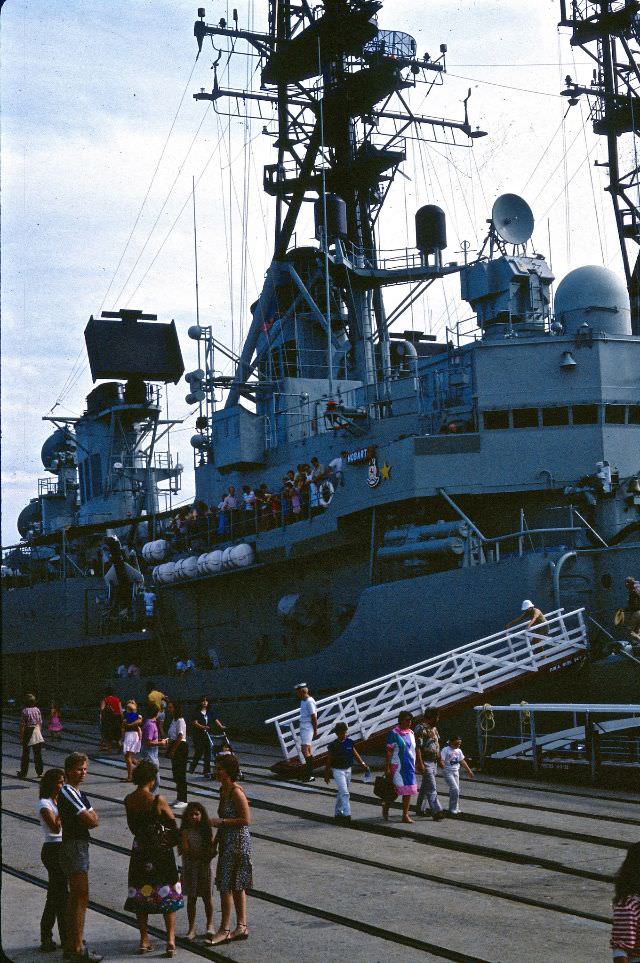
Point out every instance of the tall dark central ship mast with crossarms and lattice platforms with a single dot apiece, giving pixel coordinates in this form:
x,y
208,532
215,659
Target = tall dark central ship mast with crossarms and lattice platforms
x,y
336,83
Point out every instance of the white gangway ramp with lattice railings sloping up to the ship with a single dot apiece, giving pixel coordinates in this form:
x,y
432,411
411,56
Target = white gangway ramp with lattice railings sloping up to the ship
x,y
441,681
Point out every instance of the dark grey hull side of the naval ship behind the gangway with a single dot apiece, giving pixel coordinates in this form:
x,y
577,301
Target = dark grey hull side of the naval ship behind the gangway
x,y
394,624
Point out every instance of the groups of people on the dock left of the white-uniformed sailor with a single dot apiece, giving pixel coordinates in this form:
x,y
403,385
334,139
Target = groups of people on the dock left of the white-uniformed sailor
x,y
156,885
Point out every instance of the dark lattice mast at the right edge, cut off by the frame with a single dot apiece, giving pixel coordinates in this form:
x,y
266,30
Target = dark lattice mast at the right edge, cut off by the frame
x,y
609,34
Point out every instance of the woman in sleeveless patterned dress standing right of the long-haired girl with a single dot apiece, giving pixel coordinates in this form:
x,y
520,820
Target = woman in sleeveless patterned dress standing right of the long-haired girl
x,y
234,874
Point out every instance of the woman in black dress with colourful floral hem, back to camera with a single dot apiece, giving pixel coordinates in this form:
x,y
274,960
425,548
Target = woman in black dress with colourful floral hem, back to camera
x,y
154,883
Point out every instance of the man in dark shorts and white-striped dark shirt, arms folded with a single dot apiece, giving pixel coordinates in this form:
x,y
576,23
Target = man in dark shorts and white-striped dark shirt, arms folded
x,y
77,817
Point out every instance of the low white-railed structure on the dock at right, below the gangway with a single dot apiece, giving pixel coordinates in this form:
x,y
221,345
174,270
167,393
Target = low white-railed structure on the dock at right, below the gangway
x,y
564,736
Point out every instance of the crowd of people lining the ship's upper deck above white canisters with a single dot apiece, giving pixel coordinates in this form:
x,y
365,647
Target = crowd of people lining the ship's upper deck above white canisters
x,y
257,508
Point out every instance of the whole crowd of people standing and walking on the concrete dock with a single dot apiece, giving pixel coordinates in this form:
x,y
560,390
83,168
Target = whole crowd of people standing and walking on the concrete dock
x,y
157,885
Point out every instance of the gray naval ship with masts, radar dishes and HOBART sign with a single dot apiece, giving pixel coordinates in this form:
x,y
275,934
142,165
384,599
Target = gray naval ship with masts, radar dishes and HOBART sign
x,y
451,479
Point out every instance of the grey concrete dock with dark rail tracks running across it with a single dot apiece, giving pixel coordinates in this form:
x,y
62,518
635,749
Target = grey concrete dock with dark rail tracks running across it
x,y
524,875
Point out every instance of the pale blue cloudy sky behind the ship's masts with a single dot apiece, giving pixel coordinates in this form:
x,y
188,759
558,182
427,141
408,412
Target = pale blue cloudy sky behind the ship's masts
x,y
102,140
